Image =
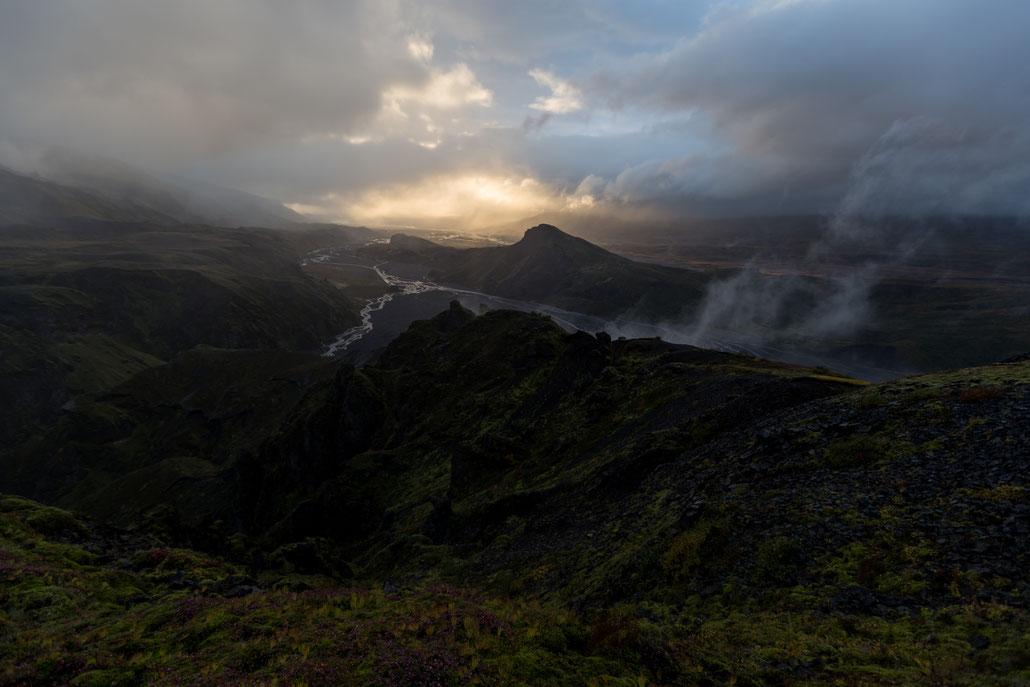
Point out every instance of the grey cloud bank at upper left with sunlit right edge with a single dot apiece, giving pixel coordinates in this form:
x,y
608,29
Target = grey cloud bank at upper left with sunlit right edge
x,y
247,94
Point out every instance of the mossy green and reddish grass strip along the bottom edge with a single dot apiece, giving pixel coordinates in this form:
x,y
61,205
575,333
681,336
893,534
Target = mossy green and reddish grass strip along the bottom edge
x,y
67,619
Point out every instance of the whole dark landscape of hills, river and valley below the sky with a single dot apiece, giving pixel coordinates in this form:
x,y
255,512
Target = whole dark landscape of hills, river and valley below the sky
x,y
320,456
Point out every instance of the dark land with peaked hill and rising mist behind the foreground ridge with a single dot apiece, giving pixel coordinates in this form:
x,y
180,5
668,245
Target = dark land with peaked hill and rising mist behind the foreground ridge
x,y
859,310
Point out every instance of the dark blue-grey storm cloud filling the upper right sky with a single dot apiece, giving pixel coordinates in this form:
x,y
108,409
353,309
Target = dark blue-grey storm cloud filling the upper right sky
x,y
799,92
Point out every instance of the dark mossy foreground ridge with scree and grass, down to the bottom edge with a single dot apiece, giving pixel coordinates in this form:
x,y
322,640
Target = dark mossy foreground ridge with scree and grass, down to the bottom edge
x,y
497,502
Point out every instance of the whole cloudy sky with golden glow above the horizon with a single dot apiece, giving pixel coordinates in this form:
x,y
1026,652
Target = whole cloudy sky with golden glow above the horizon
x,y
469,114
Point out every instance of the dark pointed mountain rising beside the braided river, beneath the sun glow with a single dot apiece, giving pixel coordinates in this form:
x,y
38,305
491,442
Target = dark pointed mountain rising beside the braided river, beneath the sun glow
x,y
550,266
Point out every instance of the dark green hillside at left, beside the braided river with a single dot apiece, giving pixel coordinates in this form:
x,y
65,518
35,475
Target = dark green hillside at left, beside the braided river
x,y
88,305
